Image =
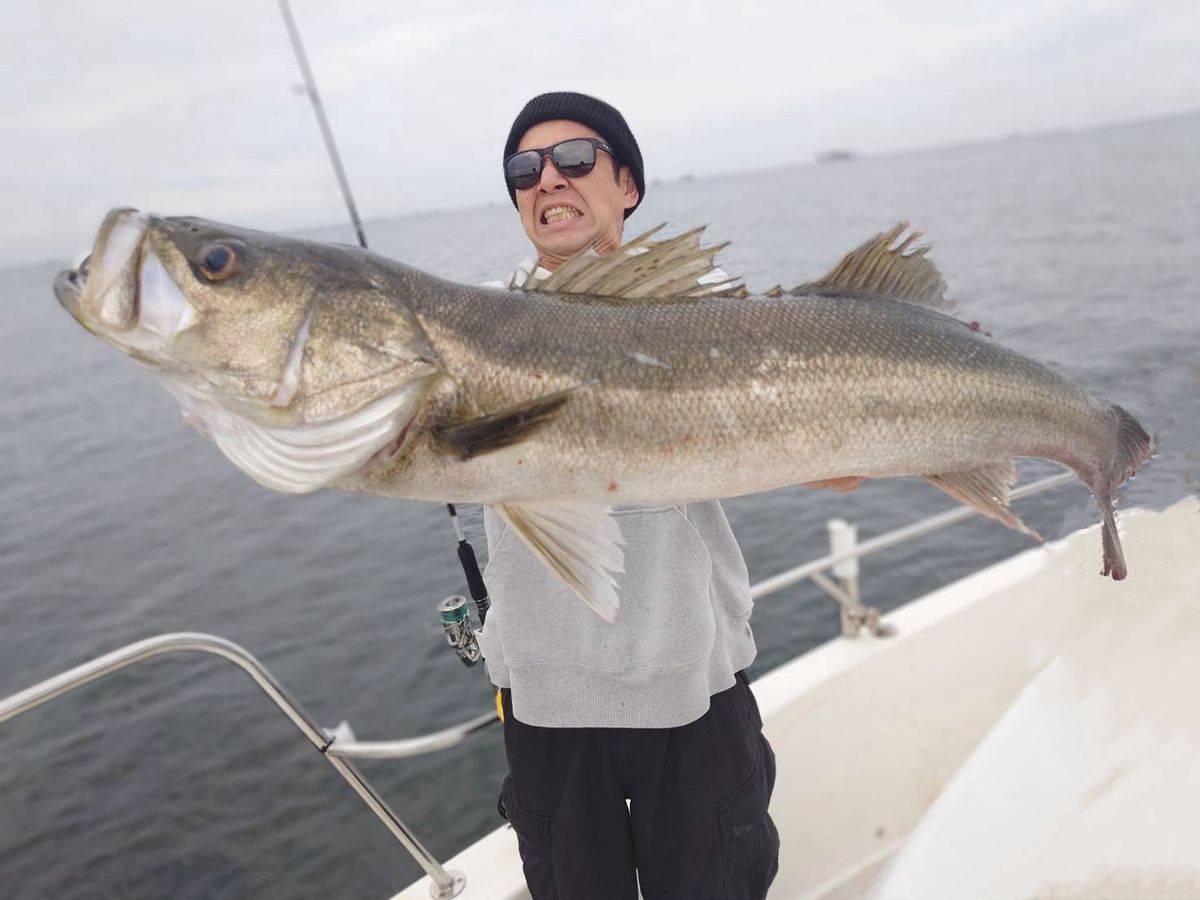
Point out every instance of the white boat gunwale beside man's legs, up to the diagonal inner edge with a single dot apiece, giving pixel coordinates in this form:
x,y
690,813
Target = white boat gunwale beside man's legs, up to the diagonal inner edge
x,y
868,733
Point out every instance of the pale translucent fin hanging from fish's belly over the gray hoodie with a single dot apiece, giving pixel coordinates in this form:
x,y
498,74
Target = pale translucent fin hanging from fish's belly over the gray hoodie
x,y
580,542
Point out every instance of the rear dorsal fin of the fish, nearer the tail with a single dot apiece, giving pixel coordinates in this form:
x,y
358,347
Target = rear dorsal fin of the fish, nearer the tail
x,y
885,271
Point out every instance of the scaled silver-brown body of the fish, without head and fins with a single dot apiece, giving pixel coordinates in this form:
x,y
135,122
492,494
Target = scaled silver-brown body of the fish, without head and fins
x,y
689,400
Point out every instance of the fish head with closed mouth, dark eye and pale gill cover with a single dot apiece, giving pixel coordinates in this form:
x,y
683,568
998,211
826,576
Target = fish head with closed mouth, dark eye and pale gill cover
x,y
290,355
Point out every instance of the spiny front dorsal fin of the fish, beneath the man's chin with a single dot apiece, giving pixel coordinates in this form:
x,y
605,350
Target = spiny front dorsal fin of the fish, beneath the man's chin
x,y
643,269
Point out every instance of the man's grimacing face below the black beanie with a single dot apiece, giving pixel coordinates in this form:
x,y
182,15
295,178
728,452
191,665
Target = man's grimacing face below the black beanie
x,y
563,215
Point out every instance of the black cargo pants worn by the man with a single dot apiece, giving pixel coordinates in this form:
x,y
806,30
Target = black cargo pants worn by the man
x,y
697,827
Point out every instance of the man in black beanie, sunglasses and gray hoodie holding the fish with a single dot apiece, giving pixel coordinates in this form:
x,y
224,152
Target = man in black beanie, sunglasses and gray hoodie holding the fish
x,y
655,709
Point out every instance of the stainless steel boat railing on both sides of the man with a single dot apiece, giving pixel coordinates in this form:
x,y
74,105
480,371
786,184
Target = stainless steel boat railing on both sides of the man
x,y
339,746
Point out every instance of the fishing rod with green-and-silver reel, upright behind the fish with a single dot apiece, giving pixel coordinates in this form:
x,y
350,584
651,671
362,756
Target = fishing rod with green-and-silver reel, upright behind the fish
x,y
454,611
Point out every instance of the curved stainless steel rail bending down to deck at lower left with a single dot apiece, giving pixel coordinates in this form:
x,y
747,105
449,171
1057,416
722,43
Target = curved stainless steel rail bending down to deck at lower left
x,y
446,884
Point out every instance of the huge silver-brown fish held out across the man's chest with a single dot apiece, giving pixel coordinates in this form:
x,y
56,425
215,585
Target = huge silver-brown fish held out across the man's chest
x,y
617,381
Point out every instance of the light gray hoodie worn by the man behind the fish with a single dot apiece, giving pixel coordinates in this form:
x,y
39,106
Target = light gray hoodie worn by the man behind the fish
x,y
682,632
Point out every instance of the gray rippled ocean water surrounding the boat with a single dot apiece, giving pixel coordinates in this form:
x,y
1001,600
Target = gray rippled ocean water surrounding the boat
x,y
179,779
